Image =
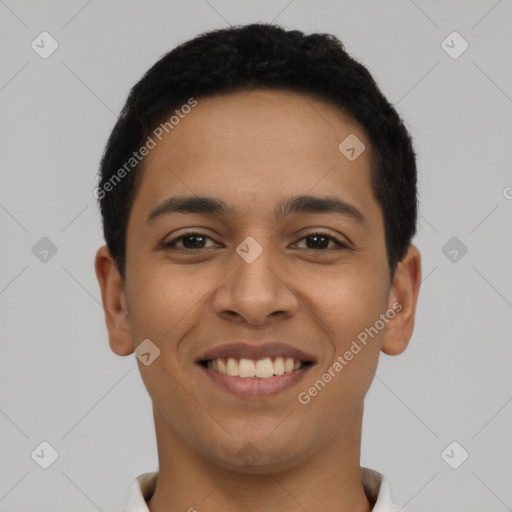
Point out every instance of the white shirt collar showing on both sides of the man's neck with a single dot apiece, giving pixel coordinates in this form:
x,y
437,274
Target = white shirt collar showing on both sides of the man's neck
x,y
375,487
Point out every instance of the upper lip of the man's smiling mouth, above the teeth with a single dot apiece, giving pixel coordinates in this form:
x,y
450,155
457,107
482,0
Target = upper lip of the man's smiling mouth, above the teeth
x,y
256,352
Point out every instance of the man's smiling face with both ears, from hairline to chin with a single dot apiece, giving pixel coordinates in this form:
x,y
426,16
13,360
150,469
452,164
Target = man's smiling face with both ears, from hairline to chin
x,y
297,282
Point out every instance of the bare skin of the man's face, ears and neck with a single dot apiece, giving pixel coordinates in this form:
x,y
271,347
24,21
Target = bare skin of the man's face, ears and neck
x,y
253,149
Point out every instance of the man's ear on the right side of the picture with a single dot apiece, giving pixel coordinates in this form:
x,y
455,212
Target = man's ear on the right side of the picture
x,y
404,296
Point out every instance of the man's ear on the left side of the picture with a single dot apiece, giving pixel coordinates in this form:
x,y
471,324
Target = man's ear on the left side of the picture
x,y
114,301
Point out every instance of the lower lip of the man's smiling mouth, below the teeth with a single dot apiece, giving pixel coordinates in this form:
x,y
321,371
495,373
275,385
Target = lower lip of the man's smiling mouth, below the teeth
x,y
254,387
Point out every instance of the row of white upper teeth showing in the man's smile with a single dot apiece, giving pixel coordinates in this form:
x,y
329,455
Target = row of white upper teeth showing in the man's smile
x,y
262,368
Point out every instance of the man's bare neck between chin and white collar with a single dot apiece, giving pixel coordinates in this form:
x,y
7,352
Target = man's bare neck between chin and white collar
x,y
329,480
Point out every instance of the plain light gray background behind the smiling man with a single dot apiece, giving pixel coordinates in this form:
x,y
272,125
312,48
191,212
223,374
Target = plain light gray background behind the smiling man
x,y
59,381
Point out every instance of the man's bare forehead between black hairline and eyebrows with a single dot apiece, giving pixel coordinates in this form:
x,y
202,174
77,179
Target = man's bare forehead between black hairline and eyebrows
x,y
252,148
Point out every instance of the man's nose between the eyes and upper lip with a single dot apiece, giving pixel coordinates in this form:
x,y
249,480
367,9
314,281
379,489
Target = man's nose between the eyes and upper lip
x,y
252,292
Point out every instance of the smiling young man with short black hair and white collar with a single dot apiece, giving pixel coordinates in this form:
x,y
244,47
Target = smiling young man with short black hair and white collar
x,y
258,196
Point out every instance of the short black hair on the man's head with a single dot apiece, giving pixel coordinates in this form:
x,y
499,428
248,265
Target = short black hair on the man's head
x,y
261,56
